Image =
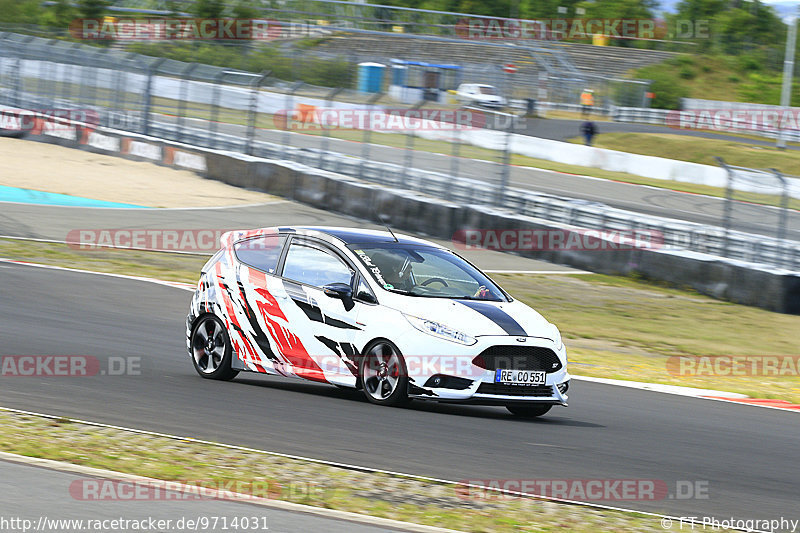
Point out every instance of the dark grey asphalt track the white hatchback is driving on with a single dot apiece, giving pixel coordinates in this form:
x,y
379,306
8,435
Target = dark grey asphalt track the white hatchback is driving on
x,y
745,456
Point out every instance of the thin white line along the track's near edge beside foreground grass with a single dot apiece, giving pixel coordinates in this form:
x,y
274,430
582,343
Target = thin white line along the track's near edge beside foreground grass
x,y
346,466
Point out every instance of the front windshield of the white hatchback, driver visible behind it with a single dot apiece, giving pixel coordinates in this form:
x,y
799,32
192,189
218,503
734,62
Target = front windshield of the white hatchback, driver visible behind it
x,y
418,270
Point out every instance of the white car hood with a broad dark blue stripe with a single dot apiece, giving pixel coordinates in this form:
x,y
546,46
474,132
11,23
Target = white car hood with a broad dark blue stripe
x,y
477,317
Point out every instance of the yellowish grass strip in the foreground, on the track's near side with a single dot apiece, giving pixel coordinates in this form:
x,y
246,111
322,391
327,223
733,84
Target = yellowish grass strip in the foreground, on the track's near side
x,y
299,481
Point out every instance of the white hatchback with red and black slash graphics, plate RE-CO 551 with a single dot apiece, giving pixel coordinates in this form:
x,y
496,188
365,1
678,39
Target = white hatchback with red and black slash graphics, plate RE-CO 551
x,y
398,317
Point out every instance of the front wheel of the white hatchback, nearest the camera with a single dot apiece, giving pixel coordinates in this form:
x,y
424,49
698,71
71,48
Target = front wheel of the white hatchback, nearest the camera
x,y
383,374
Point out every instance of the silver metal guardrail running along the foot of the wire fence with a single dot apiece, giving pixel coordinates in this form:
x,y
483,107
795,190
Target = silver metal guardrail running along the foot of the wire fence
x,y
677,235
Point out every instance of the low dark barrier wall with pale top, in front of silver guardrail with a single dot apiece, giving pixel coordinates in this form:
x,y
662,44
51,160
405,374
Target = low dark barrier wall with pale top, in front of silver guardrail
x,y
737,281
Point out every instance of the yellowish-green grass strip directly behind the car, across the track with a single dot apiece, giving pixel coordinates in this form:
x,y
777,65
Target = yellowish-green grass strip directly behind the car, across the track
x,y
614,327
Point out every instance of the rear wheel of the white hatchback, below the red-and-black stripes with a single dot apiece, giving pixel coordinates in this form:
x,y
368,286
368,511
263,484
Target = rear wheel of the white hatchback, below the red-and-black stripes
x,y
211,349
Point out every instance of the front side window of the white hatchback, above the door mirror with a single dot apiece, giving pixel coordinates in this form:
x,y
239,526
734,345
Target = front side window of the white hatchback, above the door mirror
x,y
316,267
